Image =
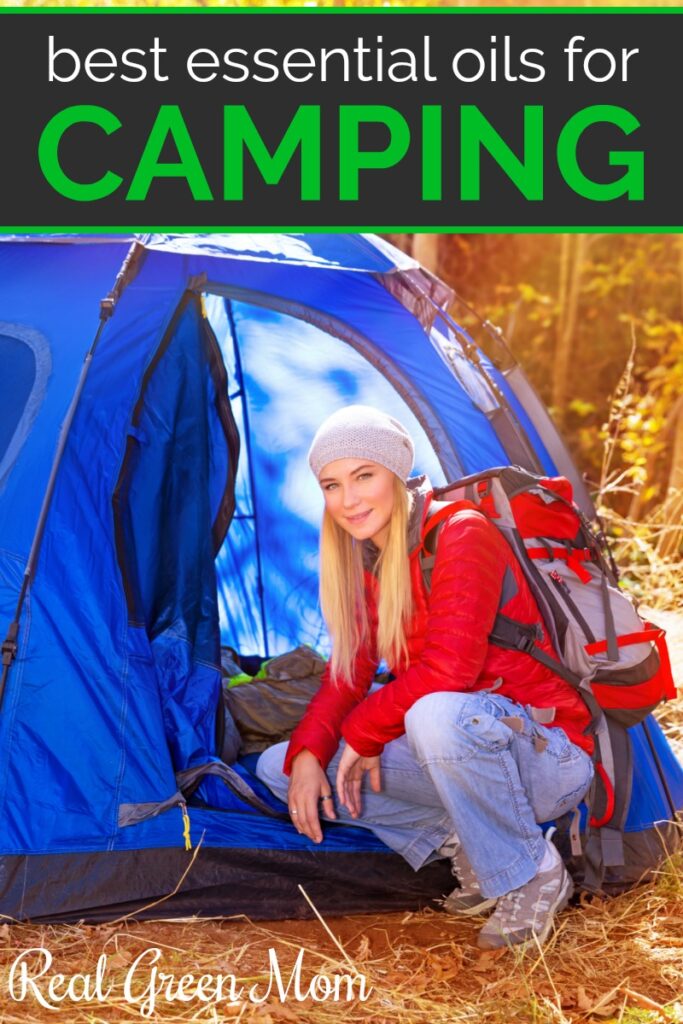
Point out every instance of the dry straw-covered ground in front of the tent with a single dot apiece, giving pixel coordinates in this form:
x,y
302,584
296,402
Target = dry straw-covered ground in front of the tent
x,y
621,961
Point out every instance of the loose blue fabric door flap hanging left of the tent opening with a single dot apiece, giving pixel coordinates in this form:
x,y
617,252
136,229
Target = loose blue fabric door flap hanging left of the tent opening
x,y
173,506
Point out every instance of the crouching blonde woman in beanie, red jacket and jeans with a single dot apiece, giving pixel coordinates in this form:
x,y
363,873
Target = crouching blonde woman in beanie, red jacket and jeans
x,y
448,759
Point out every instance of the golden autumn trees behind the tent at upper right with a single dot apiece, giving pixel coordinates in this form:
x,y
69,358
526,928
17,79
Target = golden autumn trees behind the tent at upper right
x,y
597,323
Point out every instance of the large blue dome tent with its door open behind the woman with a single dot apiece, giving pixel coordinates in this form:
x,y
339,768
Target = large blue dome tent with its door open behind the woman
x,y
158,395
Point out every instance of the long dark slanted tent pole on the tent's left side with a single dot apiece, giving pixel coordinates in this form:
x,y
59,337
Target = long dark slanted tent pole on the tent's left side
x,y
130,269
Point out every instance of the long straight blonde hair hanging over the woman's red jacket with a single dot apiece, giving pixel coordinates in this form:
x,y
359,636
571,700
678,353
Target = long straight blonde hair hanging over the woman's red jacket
x,y
344,592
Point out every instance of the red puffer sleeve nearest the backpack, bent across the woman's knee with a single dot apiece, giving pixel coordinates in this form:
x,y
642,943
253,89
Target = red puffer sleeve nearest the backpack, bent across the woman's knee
x,y
467,582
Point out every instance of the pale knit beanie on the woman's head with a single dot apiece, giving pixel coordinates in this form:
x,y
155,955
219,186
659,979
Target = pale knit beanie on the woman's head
x,y
363,433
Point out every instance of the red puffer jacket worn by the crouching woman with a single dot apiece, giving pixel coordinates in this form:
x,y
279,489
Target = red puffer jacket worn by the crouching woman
x,y
449,650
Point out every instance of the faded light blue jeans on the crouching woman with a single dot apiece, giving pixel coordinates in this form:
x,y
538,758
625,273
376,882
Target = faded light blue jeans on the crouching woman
x,y
459,770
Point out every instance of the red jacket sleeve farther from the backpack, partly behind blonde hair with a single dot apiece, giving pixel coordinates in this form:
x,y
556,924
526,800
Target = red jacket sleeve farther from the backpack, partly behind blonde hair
x,y
320,730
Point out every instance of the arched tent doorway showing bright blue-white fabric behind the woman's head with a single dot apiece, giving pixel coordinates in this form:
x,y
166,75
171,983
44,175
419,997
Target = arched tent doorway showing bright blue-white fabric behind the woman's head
x,y
287,370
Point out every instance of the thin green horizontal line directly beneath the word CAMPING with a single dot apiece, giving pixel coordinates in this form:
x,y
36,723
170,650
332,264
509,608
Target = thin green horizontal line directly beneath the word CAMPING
x,y
348,230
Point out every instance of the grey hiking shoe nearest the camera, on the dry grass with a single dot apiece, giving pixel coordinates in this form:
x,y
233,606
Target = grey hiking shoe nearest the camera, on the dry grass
x,y
530,911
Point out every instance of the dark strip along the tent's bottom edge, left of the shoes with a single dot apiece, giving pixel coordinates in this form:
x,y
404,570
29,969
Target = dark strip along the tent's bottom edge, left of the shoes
x,y
222,882
